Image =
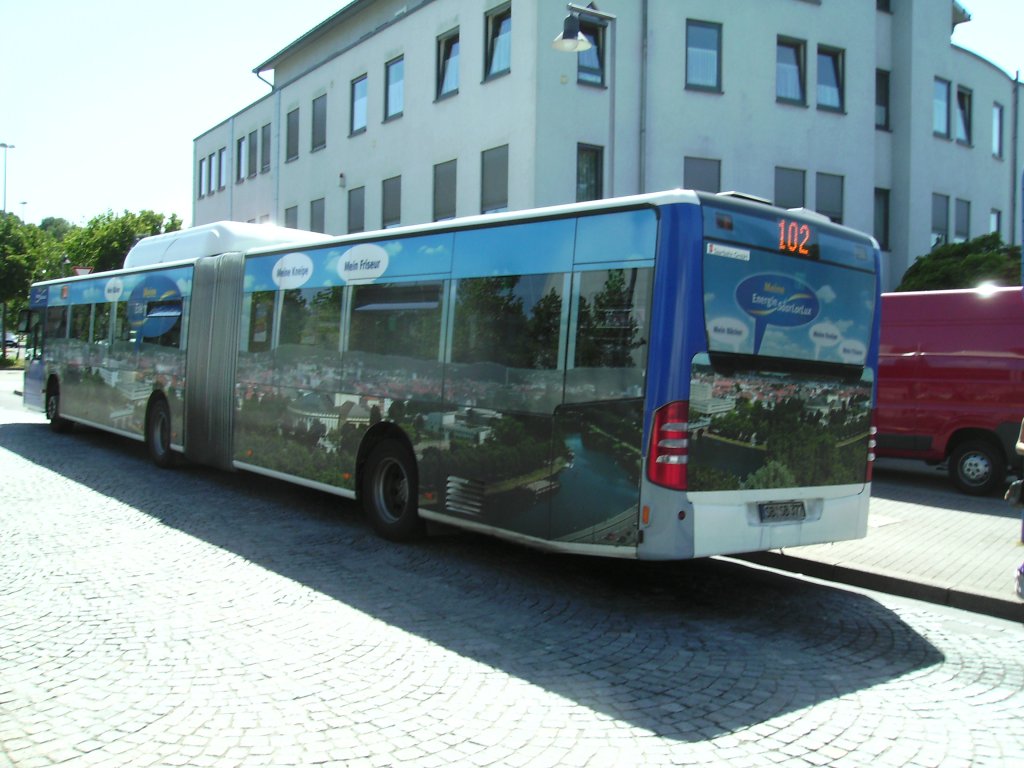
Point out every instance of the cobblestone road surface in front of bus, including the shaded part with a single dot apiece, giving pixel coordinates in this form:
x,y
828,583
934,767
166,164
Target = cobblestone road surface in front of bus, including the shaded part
x,y
199,618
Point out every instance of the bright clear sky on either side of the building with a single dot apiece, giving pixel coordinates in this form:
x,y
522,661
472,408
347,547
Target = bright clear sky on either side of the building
x,y
103,100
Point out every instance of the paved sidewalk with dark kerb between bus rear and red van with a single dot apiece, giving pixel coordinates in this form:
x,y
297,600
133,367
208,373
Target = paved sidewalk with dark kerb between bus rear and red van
x,y
925,541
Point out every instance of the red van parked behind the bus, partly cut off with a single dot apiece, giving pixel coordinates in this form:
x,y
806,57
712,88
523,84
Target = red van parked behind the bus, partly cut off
x,y
952,382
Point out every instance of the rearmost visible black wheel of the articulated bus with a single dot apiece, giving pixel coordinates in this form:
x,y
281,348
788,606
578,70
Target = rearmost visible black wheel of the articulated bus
x,y
391,492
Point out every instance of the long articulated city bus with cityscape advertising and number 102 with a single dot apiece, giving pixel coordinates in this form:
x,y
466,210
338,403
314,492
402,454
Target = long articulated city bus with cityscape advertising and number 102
x,y
666,376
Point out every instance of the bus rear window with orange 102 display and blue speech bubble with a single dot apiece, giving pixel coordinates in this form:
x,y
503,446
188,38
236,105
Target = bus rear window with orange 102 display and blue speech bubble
x,y
787,287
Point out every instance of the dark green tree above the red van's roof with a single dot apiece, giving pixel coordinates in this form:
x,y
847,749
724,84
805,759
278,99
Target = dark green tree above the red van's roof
x,y
965,266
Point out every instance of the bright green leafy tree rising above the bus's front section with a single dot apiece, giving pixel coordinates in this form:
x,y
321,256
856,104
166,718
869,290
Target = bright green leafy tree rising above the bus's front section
x,y
104,243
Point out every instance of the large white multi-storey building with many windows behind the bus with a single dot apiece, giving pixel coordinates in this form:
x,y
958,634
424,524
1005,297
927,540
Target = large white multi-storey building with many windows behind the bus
x,y
410,111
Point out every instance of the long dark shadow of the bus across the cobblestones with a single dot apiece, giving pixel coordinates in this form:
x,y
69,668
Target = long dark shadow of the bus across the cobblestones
x,y
687,652
